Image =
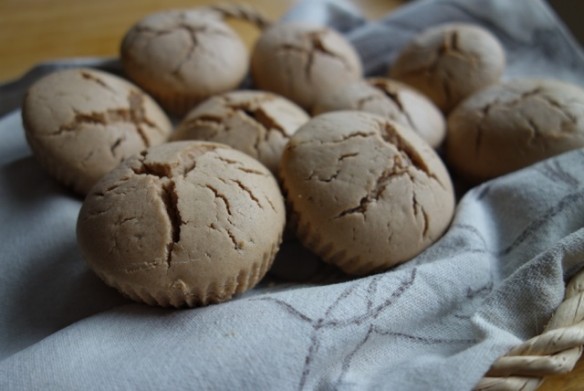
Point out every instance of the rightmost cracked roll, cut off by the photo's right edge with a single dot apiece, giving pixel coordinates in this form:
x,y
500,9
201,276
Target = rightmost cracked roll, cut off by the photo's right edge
x,y
514,124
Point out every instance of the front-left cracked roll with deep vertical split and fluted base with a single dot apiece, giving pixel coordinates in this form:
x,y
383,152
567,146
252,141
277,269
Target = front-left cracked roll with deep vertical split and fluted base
x,y
183,224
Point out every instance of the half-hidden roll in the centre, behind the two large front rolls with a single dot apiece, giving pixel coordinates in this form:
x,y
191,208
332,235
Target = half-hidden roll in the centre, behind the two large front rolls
x,y
255,122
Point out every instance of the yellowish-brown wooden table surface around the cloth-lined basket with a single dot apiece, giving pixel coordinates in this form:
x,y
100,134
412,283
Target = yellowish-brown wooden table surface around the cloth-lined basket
x,y
33,31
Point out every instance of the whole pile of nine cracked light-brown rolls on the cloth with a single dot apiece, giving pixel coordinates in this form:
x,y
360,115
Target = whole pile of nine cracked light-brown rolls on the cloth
x,y
188,181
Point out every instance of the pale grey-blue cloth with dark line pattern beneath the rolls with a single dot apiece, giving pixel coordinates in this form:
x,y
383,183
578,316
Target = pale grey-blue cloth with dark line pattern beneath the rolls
x,y
435,323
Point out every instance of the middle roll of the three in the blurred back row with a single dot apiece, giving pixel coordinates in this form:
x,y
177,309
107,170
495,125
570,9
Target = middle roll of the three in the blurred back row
x,y
298,61
